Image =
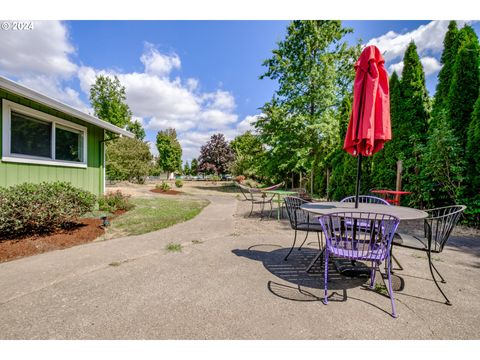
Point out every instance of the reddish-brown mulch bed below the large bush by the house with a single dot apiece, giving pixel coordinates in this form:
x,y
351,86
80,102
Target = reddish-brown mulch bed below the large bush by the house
x,y
85,231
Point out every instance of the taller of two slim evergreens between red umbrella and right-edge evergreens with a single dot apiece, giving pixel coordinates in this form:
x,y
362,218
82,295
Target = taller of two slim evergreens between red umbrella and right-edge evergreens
x,y
413,115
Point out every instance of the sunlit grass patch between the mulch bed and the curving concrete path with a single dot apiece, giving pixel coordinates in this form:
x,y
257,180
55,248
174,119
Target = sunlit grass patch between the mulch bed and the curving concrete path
x,y
152,214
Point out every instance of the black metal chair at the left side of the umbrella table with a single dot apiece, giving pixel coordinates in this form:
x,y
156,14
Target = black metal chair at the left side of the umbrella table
x,y
301,220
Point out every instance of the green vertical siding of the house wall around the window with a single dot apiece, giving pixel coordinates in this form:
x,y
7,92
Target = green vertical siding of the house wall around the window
x,y
90,179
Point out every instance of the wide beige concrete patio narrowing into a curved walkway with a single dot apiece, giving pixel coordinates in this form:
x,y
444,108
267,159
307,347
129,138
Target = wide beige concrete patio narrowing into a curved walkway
x,y
229,282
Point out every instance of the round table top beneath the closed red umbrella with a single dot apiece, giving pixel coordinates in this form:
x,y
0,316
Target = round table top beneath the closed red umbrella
x,y
402,212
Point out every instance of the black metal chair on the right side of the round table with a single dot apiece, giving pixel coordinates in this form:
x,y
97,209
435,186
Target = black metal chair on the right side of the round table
x,y
437,229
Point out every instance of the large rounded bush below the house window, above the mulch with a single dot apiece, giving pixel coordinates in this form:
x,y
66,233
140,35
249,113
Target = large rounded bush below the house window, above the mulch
x,y
38,208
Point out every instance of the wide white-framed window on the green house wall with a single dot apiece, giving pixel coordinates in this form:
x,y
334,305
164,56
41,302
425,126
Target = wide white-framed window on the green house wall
x,y
30,136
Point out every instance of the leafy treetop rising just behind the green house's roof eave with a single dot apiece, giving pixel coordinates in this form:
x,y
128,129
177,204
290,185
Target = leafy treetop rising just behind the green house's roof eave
x,y
108,99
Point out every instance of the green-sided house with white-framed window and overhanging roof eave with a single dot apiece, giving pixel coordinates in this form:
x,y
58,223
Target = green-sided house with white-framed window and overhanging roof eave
x,y
43,139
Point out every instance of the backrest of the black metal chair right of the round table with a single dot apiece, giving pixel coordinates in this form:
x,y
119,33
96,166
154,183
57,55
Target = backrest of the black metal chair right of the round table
x,y
440,223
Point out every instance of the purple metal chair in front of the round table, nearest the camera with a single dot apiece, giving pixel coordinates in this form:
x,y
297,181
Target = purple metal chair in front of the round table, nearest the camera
x,y
345,237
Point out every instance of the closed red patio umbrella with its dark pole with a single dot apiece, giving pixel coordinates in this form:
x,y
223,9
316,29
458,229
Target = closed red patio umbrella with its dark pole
x,y
369,126
